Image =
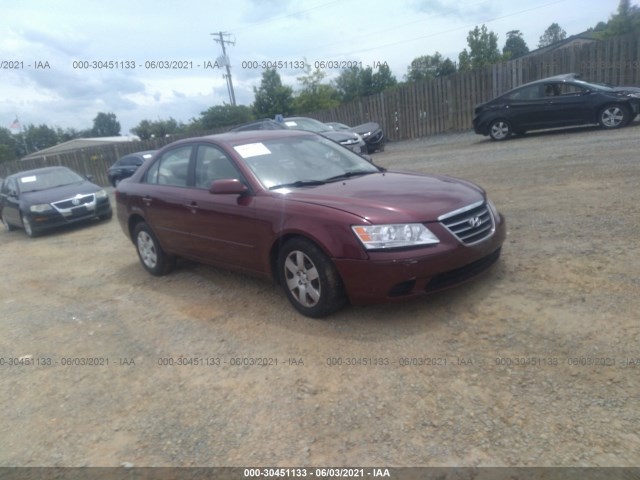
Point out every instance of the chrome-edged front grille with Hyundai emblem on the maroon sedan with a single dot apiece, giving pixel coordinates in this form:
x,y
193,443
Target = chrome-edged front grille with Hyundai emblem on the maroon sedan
x,y
470,224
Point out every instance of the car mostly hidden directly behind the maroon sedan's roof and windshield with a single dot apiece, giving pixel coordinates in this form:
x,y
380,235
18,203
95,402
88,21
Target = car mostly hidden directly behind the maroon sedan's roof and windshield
x,y
351,140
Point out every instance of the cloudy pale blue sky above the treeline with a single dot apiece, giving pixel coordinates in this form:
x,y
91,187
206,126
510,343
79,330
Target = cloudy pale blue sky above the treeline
x,y
48,43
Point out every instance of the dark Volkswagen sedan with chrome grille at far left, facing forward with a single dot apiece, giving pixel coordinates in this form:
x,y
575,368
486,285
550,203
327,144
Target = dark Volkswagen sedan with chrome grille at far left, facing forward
x,y
50,197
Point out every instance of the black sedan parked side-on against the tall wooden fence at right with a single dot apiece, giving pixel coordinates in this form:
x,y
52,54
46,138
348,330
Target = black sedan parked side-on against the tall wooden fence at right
x,y
559,101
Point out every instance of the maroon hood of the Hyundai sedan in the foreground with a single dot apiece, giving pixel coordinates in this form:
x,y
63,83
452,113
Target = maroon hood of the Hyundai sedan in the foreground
x,y
392,197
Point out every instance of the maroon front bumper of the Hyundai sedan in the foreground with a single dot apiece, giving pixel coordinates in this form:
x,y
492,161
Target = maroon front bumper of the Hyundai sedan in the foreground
x,y
397,276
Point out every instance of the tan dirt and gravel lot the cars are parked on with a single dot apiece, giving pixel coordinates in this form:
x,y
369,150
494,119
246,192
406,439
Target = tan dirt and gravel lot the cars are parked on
x,y
535,363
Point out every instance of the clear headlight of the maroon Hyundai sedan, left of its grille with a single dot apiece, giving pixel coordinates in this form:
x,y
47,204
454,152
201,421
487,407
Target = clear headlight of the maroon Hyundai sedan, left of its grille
x,y
394,235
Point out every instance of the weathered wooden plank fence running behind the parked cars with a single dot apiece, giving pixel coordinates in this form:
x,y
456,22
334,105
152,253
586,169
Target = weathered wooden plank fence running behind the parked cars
x,y
419,109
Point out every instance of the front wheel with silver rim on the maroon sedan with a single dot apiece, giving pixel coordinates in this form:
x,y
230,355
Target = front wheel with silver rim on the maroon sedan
x,y
310,279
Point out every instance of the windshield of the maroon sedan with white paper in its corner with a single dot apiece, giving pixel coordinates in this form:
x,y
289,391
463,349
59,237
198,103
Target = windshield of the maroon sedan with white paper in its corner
x,y
302,161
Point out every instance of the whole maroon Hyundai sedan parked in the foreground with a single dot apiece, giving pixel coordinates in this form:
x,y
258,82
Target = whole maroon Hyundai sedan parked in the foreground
x,y
325,223
